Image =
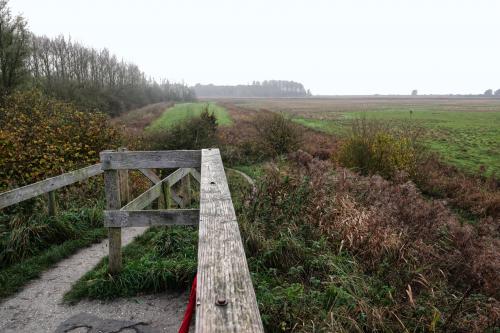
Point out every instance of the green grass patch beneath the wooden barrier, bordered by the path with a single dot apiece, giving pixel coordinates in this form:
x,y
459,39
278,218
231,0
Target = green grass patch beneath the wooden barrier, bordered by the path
x,y
160,259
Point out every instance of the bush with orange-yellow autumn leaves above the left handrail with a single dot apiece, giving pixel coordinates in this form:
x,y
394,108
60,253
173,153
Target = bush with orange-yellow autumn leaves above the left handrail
x,y
42,137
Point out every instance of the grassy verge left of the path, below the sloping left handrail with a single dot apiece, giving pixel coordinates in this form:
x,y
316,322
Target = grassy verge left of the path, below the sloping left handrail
x,y
30,246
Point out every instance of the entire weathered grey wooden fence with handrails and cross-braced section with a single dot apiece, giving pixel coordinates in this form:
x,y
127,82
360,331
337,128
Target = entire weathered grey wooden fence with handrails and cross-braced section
x,y
225,296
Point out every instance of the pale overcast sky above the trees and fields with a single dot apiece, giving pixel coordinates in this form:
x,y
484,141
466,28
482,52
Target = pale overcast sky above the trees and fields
x,y
332,47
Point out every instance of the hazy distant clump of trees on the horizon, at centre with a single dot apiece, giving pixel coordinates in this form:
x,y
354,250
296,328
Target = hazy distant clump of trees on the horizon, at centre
x,y
272,88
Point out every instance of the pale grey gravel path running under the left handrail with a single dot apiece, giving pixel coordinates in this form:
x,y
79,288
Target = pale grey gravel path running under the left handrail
x,y
38,308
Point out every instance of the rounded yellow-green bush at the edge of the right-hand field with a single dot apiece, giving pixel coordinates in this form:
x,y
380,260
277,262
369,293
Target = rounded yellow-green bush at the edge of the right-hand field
x,y
376,149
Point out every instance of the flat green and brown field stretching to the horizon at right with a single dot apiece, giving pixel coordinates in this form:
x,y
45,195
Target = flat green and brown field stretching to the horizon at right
x,y
465,131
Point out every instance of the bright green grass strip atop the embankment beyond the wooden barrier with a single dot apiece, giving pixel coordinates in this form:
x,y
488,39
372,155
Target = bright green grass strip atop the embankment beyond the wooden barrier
x,y
180,112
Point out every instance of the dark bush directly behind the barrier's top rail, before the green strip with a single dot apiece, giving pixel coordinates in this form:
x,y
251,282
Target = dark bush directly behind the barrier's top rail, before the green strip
x,y
193,133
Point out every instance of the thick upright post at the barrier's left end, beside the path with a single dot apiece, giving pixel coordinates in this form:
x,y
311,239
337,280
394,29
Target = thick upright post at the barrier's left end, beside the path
x,y
113,202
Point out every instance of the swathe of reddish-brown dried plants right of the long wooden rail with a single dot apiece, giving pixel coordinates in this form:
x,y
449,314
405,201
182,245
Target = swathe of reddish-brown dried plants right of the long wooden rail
x,y
384,221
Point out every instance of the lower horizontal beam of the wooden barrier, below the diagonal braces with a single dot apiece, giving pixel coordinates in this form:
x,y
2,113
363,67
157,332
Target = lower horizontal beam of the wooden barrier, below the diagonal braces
x,y
146,218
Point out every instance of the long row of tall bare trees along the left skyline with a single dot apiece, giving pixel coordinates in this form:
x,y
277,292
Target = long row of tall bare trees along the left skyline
x,y
91,78
